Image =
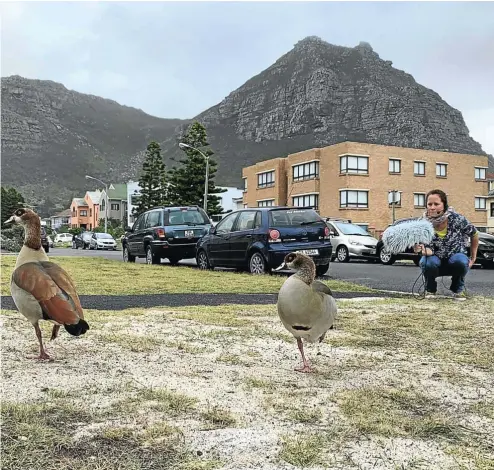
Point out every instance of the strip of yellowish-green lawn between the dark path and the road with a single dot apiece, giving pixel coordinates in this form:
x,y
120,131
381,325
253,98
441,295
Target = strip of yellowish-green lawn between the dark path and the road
x,y
109,277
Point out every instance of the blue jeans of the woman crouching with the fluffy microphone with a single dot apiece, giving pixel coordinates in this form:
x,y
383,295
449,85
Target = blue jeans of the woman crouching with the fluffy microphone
x,y
456,267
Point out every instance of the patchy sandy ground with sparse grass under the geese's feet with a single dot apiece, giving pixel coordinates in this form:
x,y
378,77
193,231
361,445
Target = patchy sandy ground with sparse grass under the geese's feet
x,y
400,384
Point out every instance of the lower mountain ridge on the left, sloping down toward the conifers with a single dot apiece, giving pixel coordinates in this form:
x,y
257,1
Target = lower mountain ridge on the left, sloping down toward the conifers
x,y
52,137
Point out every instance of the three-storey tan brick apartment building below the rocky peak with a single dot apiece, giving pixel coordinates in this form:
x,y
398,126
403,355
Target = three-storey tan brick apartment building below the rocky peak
x,y
353,180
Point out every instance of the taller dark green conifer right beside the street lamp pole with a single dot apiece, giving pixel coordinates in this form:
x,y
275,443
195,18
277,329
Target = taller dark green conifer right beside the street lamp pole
x,y
187,181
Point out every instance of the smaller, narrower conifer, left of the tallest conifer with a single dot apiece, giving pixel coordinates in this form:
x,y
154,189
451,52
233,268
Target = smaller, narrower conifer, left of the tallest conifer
x,y
152,180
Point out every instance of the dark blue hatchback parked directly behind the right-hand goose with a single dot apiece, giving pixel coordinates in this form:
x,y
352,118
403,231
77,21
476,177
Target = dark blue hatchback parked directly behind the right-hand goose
x,y
258,239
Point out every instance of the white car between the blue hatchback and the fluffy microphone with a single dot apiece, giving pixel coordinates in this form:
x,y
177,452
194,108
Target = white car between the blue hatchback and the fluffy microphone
x,y
350,241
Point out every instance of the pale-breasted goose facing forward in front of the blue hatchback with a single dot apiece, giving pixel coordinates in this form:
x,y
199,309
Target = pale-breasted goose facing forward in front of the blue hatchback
x,y
306,307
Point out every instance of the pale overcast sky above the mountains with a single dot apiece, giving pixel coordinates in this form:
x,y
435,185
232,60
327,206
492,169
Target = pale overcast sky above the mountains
x,y
175,59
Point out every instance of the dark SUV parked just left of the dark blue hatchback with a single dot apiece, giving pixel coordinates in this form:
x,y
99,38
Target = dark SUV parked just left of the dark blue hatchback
x,y
165,232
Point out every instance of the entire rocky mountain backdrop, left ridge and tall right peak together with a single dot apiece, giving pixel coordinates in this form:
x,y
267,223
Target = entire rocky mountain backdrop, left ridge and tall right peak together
x,y
315,95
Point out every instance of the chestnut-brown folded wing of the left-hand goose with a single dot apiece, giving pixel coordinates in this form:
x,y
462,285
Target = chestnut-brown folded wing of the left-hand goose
x,y
57,304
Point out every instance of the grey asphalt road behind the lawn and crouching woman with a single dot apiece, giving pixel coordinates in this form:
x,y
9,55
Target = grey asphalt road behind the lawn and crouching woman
x,y
398,277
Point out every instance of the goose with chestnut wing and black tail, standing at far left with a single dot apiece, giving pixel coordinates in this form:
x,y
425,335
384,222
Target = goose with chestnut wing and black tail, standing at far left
x,y
42,290
